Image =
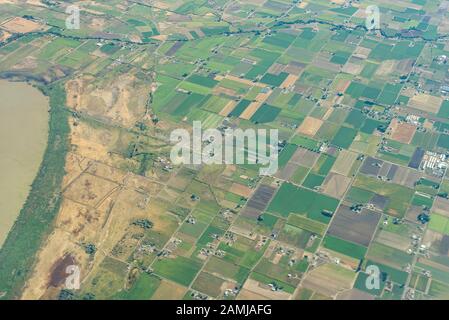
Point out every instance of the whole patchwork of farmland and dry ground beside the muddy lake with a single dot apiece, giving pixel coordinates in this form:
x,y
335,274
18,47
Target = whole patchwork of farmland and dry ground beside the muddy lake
x,y
361,115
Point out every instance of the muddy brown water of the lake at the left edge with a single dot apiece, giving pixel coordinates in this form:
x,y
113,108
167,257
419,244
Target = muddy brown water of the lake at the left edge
x,y
23,138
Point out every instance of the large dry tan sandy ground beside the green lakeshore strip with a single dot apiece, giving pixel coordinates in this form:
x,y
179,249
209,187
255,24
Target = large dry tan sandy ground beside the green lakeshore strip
x,y
100,201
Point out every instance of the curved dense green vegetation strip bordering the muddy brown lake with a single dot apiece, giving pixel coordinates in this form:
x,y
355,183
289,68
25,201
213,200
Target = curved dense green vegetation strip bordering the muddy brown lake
x,y
36,217
